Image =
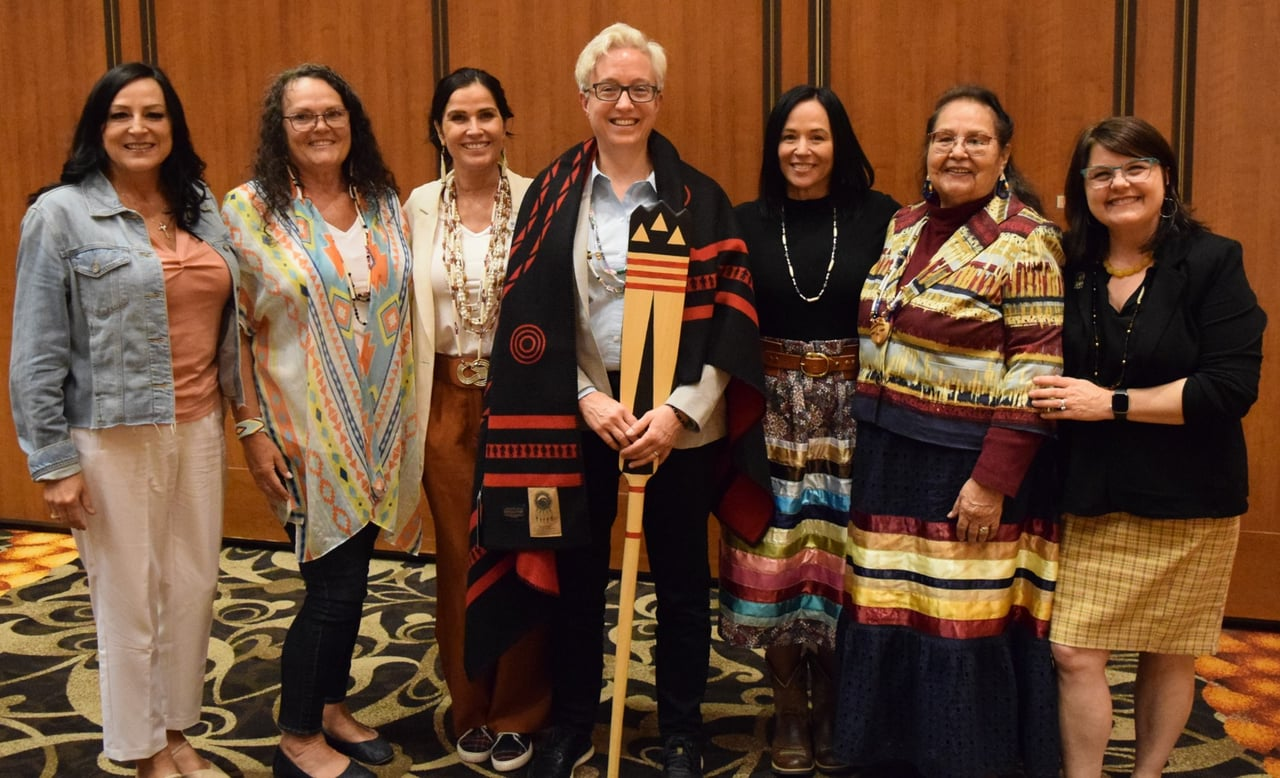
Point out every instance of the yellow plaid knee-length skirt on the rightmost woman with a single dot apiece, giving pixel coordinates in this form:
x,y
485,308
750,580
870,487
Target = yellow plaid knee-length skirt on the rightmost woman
x,y
1132,584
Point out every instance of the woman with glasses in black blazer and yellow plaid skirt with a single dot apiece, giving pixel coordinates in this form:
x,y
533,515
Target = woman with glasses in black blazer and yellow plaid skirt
x,y
1163,347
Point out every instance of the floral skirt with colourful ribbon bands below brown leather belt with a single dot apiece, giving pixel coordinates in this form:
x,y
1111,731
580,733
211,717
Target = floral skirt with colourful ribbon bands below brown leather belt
x,y
788,589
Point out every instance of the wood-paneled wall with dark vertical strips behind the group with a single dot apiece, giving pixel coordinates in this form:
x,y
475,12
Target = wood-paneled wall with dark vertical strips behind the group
x,y
1187,67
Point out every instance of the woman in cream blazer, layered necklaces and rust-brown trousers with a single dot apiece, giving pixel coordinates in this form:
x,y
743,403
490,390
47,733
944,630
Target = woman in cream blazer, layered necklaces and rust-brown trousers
x,y
463,228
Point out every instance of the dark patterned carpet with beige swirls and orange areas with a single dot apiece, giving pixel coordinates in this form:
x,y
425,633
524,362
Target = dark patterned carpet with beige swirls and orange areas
x,y
51,715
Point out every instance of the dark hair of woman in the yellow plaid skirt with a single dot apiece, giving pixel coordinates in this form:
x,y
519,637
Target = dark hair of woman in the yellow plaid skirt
x,y
1087,240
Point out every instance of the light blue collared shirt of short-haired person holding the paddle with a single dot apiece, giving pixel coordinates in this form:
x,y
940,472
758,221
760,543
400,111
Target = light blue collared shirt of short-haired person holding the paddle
x,y
612,237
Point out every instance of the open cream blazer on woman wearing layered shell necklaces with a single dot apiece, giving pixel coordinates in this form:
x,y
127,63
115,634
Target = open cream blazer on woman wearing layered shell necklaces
x,y
423,212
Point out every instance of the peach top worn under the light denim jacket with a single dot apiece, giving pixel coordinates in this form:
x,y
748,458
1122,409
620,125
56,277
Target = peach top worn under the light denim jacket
x,y
198,286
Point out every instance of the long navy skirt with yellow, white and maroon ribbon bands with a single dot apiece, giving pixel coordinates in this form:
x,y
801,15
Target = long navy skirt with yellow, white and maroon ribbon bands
x,y
945,660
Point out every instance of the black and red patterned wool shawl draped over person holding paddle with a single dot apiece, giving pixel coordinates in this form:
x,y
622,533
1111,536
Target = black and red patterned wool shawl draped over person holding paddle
x,y
532,434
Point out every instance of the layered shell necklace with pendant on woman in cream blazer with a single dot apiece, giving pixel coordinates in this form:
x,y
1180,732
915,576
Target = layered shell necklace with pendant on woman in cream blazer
x,y
478,313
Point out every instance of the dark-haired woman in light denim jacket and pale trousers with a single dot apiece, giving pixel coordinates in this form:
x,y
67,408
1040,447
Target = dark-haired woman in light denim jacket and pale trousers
x,y
118,400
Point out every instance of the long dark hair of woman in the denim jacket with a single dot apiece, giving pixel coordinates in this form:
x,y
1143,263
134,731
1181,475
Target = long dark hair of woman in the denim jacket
x,y
181,173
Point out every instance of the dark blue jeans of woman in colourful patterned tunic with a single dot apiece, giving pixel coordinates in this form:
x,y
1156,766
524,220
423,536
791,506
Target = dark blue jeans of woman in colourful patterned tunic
x,y
316,665
